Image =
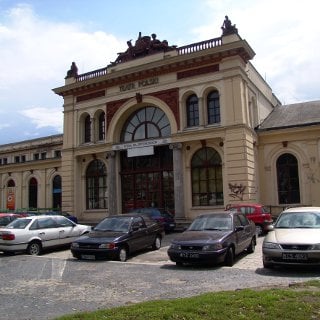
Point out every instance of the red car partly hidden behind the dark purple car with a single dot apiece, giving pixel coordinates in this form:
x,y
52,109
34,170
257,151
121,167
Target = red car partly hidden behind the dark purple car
x,y
256,212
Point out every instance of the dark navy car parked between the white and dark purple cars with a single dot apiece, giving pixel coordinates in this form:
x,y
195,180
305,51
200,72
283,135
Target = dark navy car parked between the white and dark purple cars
x,y
116,237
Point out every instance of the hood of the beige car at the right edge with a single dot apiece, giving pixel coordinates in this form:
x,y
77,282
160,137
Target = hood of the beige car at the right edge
x,y
302,236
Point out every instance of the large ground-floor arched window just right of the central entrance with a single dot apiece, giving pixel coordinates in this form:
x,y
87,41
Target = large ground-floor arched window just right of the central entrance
x,y
206,176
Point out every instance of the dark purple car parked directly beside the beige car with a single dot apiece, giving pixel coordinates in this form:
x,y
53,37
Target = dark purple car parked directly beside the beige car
x,y
214,238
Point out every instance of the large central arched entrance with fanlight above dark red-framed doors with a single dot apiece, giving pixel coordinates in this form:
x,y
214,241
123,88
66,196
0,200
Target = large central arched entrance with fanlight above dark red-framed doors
x,y
147,173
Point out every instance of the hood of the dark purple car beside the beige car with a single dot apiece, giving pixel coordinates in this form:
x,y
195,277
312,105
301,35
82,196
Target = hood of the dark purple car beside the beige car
x,y
200,236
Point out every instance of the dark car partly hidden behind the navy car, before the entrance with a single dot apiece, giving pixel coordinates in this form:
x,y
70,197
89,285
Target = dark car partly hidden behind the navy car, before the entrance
x,y
160,215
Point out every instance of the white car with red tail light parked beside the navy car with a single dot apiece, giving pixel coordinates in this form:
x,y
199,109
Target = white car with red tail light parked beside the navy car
x,y
34,233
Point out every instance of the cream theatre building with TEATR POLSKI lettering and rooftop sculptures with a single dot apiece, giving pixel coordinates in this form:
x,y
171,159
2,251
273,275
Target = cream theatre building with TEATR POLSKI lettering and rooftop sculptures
x,y
190,128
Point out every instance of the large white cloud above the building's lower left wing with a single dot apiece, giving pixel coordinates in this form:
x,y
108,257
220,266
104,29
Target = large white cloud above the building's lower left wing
x,y
35,56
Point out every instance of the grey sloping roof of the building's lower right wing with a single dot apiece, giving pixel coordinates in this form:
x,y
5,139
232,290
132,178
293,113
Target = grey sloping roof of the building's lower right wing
x,y
292,115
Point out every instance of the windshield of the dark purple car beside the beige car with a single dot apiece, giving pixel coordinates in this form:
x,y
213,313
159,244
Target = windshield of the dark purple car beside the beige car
x,y
218,222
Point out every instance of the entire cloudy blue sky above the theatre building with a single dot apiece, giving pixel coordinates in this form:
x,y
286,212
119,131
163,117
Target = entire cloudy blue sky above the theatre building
x,y
39,39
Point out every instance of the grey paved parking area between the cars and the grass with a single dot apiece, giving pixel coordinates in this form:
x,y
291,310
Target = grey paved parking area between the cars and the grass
x,y
54,284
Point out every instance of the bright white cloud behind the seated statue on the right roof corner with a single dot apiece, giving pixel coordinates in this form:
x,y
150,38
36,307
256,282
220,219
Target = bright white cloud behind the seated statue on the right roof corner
x,y
285,36
